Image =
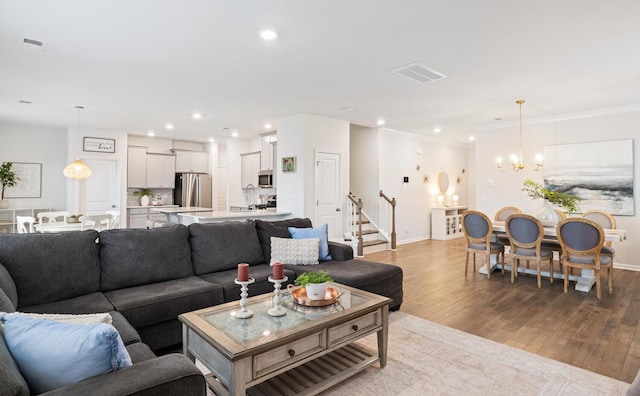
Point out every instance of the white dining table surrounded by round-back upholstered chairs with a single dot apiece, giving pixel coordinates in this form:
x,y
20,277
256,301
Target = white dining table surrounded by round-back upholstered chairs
x,y
584,281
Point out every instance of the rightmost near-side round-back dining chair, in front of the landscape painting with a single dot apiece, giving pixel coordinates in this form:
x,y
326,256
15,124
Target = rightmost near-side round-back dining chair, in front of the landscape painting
x,y
582,241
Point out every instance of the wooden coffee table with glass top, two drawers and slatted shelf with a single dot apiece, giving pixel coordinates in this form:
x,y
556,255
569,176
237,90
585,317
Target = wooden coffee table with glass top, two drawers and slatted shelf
x,y
306,351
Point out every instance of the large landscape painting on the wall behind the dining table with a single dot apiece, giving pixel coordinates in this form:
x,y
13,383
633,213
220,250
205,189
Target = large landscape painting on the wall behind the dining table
x,y
600,174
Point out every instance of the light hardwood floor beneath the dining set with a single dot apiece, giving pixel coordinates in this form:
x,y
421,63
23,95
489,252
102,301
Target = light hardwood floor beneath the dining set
x,y
575,328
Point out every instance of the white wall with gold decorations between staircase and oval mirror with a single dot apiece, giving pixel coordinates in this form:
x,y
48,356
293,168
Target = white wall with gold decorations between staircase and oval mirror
x,y
400,155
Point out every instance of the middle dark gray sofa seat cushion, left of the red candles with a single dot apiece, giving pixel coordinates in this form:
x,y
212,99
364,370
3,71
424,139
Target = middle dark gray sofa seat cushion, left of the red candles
x,y
157,302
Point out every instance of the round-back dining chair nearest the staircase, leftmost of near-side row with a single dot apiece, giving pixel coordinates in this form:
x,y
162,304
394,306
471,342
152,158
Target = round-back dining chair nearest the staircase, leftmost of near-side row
x,y
477,229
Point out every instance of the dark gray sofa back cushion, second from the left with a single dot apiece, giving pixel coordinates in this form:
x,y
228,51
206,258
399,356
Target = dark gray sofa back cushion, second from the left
x,y
154,255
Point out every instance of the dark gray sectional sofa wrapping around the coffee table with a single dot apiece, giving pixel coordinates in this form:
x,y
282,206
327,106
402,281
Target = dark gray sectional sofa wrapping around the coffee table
x,y
146,278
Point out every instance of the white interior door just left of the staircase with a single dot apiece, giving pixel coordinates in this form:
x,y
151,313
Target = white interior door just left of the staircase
x,y
328,194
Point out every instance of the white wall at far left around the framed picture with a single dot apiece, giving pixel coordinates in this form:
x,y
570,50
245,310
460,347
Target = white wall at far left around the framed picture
x,y
47,146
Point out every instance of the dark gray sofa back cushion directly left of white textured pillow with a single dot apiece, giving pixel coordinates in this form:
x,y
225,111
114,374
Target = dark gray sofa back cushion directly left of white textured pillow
x,y
221,246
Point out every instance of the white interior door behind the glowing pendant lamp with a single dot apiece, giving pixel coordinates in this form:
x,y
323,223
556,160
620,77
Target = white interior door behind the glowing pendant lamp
x,y
99,193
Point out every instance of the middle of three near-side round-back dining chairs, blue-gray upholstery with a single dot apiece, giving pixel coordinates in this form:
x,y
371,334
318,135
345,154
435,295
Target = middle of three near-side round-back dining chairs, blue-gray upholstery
x,y
525,234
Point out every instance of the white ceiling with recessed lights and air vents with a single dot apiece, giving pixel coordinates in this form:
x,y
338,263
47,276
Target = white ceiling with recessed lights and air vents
x,y
138,64
